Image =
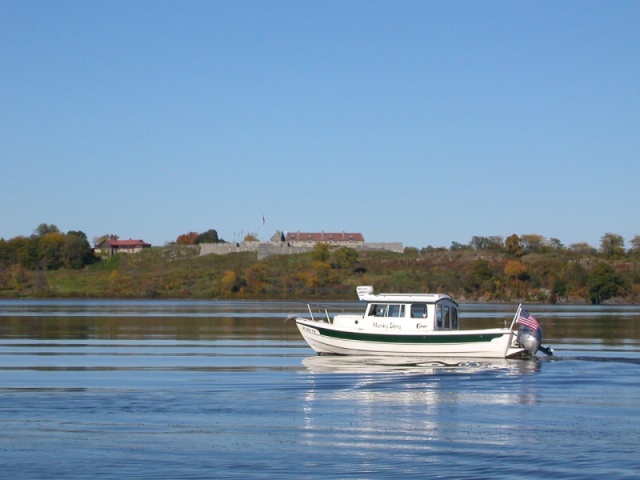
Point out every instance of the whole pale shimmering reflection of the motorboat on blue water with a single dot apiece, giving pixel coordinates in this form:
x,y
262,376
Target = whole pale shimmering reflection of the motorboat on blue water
x,y
429,402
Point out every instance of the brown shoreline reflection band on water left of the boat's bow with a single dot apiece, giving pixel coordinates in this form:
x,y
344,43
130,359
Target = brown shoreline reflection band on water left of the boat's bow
x,y
148,320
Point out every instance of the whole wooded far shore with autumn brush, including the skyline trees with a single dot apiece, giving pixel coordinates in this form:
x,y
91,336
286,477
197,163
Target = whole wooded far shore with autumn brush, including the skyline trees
x,y
527,267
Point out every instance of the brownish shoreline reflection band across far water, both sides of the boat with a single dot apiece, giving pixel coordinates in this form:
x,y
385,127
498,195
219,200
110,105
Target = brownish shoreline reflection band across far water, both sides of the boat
x,y
612,326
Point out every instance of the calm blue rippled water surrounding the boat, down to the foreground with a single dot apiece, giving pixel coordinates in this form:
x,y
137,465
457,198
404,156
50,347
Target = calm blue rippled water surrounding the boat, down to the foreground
x,y
229,390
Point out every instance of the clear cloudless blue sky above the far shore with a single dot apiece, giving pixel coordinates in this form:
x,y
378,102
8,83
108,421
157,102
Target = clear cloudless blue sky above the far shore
x,y
424,122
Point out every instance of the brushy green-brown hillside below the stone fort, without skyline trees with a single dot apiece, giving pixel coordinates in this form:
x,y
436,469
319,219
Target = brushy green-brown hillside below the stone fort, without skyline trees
x,y
178,272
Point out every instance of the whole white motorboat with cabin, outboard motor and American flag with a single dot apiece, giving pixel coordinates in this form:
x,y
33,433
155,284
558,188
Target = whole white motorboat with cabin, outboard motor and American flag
x,y
423,325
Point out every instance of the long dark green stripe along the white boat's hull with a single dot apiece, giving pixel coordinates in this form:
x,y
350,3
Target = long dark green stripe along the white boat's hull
x,y
421,339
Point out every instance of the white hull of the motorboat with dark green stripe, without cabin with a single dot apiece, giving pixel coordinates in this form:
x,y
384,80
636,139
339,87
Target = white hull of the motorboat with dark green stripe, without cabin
x,y
326,338
